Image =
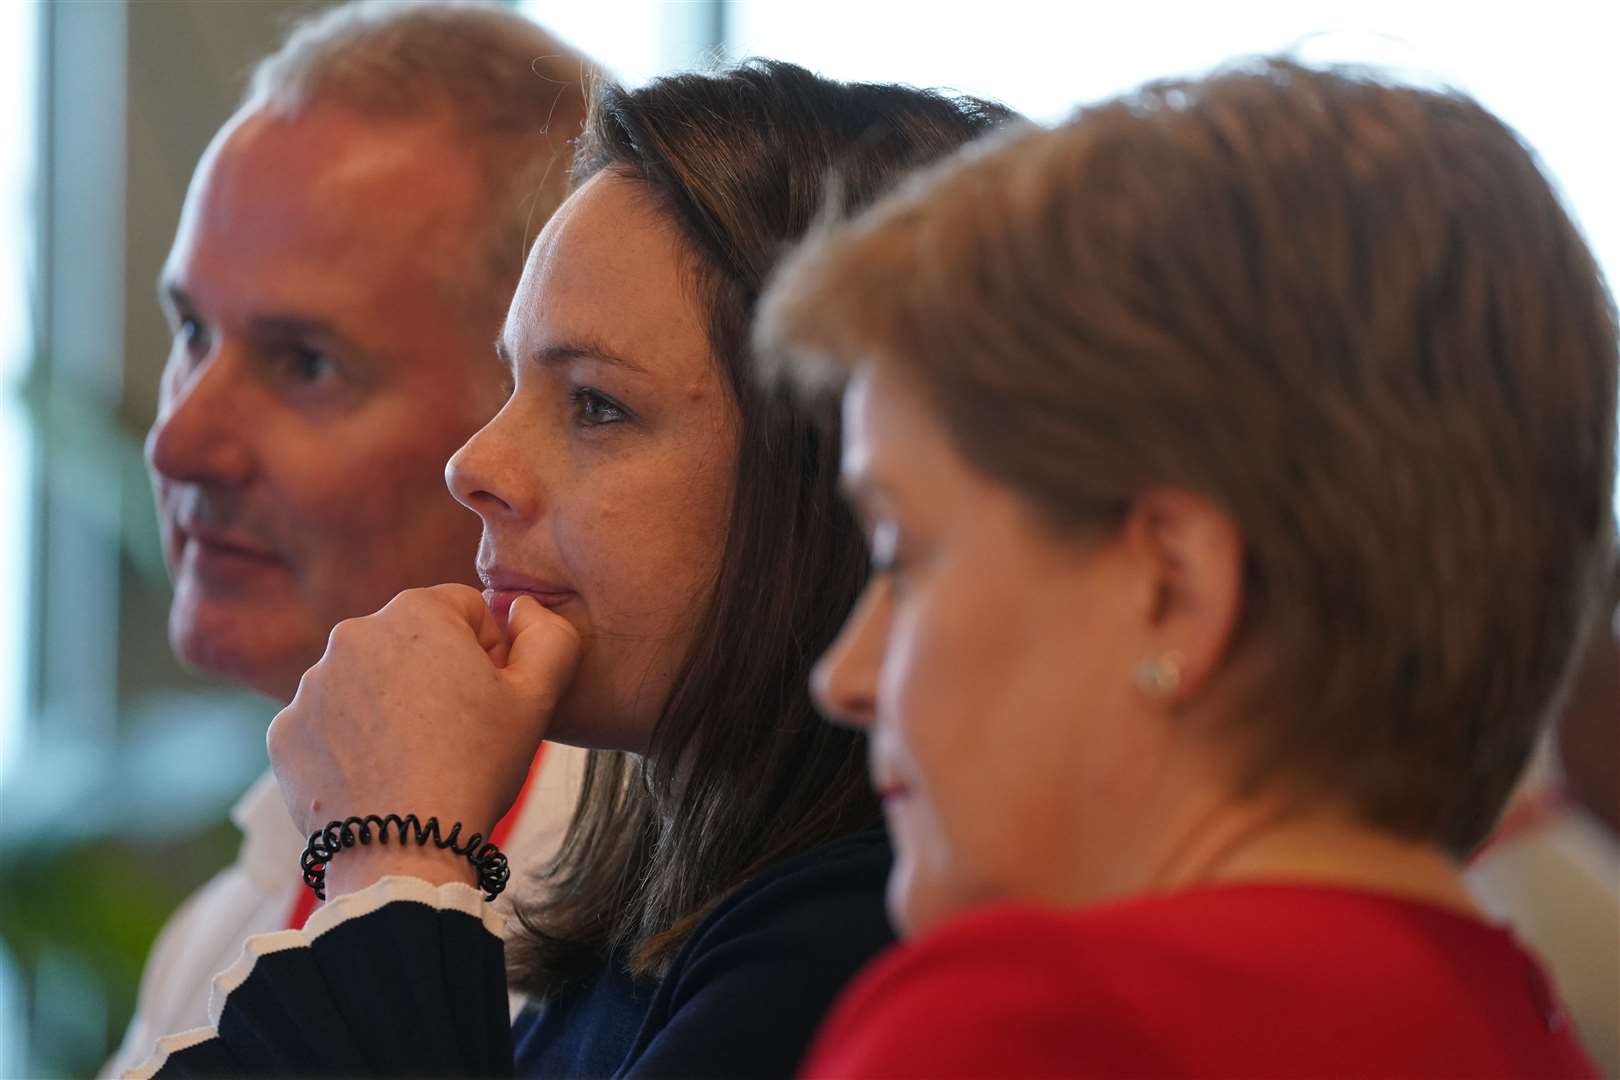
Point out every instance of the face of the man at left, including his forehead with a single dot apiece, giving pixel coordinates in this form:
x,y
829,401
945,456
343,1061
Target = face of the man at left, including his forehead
x,y
323,372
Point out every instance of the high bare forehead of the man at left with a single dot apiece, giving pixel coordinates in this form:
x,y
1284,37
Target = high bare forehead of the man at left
x,y
328,211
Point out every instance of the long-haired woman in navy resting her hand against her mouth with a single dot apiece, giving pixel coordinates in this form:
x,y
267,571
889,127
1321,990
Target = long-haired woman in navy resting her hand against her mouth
x,y
665,556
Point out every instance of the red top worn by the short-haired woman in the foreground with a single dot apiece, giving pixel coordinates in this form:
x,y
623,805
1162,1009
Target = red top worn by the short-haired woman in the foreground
x,y
1256,980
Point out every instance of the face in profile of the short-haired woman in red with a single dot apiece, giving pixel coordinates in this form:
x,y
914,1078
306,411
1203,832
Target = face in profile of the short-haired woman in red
x,y
992,661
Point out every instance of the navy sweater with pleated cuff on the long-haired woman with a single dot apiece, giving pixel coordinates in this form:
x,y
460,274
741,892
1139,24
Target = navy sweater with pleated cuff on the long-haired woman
x,y
411,990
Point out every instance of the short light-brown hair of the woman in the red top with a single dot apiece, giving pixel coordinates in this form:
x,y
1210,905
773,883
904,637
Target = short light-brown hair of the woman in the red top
x,y
1352,313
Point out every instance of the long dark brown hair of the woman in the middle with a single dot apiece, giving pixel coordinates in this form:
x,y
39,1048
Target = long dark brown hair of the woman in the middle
x,y
741,772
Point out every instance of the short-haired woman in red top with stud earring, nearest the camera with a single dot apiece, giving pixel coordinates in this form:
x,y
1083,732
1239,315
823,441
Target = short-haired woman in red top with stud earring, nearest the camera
x,y
1237,464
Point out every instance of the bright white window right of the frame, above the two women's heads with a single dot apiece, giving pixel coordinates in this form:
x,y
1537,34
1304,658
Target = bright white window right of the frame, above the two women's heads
x,y
1548,75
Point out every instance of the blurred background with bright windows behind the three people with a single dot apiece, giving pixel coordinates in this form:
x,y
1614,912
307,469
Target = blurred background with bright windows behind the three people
x,y
116,767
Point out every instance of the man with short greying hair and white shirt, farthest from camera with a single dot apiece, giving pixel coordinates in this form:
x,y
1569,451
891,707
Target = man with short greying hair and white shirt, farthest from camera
x,y
343,266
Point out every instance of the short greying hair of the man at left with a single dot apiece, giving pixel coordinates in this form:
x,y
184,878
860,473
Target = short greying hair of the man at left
x,y
514,91
